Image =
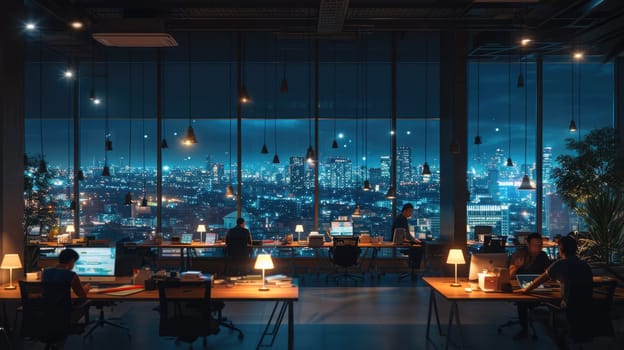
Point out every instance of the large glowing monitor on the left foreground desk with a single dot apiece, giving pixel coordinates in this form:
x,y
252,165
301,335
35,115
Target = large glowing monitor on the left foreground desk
x,y
95,263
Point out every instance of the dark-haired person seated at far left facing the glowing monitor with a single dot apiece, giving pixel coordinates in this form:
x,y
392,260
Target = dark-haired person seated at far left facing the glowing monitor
x,y
62,273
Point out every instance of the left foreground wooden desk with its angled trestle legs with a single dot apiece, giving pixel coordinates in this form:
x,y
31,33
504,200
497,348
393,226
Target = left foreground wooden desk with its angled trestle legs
x,y
284,299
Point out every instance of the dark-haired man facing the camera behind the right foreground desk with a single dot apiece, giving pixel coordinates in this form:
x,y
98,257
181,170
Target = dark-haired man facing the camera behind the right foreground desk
x,y
528,260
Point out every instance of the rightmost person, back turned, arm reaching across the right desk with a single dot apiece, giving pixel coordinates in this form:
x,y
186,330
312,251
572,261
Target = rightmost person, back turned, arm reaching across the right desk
x,y
576,281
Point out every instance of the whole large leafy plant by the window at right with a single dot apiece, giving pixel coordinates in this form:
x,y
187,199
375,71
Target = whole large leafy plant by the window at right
x,y
591,184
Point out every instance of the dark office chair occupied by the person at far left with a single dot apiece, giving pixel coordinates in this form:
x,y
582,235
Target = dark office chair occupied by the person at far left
x,y
48,315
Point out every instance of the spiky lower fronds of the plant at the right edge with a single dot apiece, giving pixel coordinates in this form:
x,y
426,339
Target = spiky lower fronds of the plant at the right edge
x,y
603,214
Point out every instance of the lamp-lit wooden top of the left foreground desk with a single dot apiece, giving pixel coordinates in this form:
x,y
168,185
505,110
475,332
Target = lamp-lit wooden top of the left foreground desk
x,y
219,292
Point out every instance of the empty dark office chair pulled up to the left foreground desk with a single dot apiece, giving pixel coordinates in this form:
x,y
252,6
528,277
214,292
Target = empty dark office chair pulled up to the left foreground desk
x,y
186,311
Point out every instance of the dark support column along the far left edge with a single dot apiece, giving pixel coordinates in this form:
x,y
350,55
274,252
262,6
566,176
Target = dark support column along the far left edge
x,y
11,135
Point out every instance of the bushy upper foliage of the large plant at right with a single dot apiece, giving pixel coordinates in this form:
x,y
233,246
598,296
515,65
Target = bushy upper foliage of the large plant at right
x,y
581,175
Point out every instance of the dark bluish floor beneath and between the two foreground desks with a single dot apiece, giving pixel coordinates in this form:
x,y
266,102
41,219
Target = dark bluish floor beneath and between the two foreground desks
x,y
374,314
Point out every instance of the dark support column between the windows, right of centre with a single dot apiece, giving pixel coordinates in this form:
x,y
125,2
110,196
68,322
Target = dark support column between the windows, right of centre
x,y
453,137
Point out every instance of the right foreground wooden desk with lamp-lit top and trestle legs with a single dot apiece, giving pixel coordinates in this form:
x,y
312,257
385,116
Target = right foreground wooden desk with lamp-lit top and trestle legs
x,y
454,295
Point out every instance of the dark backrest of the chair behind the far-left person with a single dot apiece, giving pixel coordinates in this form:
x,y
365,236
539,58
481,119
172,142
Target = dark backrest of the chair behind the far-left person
x,y
46,308
